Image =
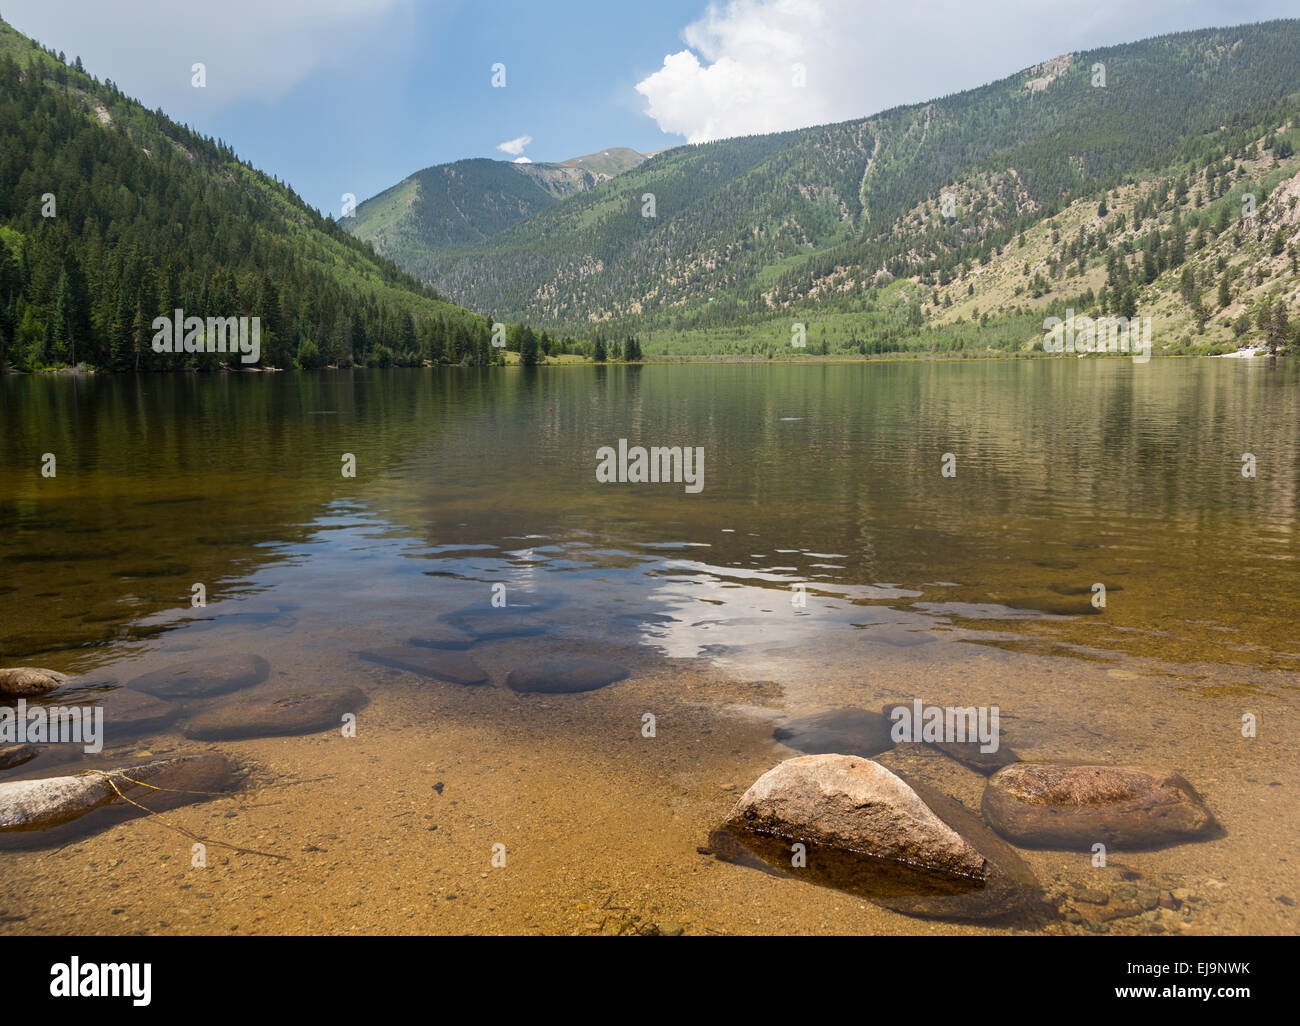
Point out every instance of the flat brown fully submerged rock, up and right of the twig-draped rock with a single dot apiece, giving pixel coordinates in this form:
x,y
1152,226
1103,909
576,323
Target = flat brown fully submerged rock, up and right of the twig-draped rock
x,y
275,713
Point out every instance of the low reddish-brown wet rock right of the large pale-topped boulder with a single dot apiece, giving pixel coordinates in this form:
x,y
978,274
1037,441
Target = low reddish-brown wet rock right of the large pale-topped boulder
x,y
1076,806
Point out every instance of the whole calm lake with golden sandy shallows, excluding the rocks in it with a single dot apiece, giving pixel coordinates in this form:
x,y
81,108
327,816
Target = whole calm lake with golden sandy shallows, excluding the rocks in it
x,y
863,534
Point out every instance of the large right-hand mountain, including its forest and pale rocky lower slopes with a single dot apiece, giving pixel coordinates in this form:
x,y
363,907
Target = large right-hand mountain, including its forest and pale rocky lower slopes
x,y
866,226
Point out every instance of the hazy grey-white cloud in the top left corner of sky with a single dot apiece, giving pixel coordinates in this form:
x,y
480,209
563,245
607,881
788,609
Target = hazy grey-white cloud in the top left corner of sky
x,y
252,49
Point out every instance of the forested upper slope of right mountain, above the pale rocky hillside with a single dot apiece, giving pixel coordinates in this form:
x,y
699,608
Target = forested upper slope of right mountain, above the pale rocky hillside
x,y
748,227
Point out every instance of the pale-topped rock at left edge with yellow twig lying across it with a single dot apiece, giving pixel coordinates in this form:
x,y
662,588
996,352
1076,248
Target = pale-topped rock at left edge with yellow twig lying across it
x,y
51,802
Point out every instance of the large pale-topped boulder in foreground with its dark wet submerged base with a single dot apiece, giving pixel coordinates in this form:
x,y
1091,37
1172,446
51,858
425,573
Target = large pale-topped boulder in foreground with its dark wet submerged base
x,y
870,833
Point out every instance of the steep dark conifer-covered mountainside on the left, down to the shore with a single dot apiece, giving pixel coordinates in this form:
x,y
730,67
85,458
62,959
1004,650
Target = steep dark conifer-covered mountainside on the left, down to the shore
x,y
112,215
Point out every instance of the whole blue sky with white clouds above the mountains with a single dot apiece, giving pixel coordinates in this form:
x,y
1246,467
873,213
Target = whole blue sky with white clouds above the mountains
x,y
353,96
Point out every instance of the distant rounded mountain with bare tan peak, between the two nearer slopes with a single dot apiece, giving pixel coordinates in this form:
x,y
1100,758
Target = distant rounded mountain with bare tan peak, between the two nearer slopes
x,y
471,201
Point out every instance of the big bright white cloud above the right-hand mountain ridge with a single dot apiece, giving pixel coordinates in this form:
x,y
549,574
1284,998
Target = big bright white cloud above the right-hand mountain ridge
x,y
738,75
